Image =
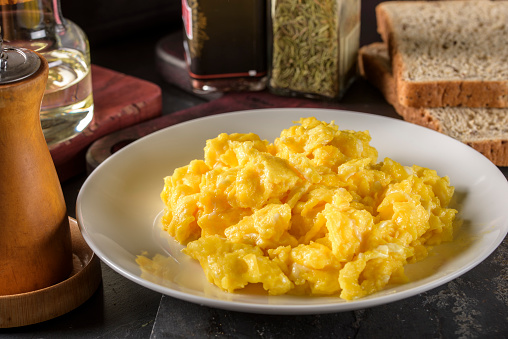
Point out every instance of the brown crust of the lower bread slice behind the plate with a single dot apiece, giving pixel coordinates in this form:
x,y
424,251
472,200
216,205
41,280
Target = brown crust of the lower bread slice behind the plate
x,y
374,65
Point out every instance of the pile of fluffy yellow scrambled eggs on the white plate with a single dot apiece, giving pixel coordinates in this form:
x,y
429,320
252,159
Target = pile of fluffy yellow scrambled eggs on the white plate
x,y
312,213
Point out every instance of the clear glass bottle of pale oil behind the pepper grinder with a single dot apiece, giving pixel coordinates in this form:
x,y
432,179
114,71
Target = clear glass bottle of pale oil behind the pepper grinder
x,y
67,106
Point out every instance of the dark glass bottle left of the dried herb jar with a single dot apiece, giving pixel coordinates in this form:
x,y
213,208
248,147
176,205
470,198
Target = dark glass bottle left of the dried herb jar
x,y
226,44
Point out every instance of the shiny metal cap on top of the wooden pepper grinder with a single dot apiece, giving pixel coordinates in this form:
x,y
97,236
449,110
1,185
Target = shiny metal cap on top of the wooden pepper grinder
x,y
17,64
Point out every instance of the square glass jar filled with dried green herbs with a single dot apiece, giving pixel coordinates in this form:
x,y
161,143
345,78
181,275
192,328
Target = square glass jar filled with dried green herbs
x,y
314,47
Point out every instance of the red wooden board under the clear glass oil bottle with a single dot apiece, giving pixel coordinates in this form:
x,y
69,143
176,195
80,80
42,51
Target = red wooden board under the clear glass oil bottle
x,y
120,101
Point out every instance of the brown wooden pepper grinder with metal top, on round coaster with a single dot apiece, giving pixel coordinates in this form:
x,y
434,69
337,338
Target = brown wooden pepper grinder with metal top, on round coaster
x,y
35,242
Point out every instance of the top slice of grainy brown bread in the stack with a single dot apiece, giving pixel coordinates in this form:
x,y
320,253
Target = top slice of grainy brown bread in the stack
x,y
447,53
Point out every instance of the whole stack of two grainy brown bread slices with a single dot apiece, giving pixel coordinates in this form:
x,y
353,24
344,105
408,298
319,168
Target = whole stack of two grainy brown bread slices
x,y
444,65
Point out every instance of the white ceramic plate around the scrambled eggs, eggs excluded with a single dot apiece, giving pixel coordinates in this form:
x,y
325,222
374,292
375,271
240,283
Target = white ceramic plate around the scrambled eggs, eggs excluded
x,y
118,205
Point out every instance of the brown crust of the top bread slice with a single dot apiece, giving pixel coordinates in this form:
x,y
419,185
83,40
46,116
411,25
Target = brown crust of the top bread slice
x,y
441,93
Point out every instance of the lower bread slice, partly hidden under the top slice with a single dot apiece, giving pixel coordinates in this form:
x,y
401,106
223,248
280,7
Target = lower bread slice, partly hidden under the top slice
x,y
484,129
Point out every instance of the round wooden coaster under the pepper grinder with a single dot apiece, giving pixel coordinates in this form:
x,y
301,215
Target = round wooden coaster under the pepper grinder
x,y
50,302
